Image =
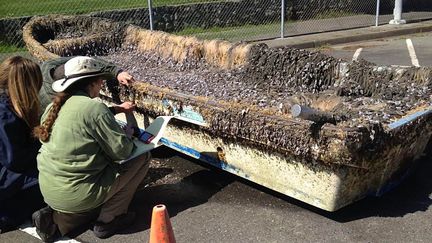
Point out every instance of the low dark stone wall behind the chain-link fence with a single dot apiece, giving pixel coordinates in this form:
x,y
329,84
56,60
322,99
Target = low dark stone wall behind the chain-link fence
x,y
206,15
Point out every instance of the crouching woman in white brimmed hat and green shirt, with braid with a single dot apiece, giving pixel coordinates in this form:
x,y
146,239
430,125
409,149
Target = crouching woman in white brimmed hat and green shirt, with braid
x,y
80,177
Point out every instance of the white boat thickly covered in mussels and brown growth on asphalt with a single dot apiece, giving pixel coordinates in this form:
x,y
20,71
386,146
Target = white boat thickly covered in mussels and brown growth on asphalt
x,y
250,106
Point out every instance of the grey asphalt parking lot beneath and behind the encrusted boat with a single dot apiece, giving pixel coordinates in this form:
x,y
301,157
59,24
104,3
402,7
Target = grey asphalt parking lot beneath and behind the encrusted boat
x,y
209,205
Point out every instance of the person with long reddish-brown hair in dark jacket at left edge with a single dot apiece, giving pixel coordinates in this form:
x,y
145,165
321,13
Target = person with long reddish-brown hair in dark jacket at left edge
x,y
20,82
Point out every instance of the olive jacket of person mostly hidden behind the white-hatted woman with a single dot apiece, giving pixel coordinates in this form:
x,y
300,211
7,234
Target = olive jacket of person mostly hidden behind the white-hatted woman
x,y
46,93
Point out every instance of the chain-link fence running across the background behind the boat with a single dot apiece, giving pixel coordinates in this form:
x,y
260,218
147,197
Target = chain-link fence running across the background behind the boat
x,y
234,20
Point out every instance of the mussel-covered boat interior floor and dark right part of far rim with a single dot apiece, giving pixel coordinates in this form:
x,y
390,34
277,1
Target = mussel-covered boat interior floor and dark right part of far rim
x,y
279,77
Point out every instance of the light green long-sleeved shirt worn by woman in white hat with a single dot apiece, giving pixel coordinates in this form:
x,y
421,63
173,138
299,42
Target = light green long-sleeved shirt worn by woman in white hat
x,y
78,165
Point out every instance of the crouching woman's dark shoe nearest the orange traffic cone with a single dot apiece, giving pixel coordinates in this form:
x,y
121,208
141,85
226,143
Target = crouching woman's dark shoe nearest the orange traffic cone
x,y
103,231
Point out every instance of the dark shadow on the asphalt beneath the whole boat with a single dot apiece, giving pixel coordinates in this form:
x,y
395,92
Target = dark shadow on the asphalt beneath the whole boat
x,y
412,195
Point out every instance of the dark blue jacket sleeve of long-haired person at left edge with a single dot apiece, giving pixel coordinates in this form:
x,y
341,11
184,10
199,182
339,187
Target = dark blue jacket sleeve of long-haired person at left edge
x,y
18,150
